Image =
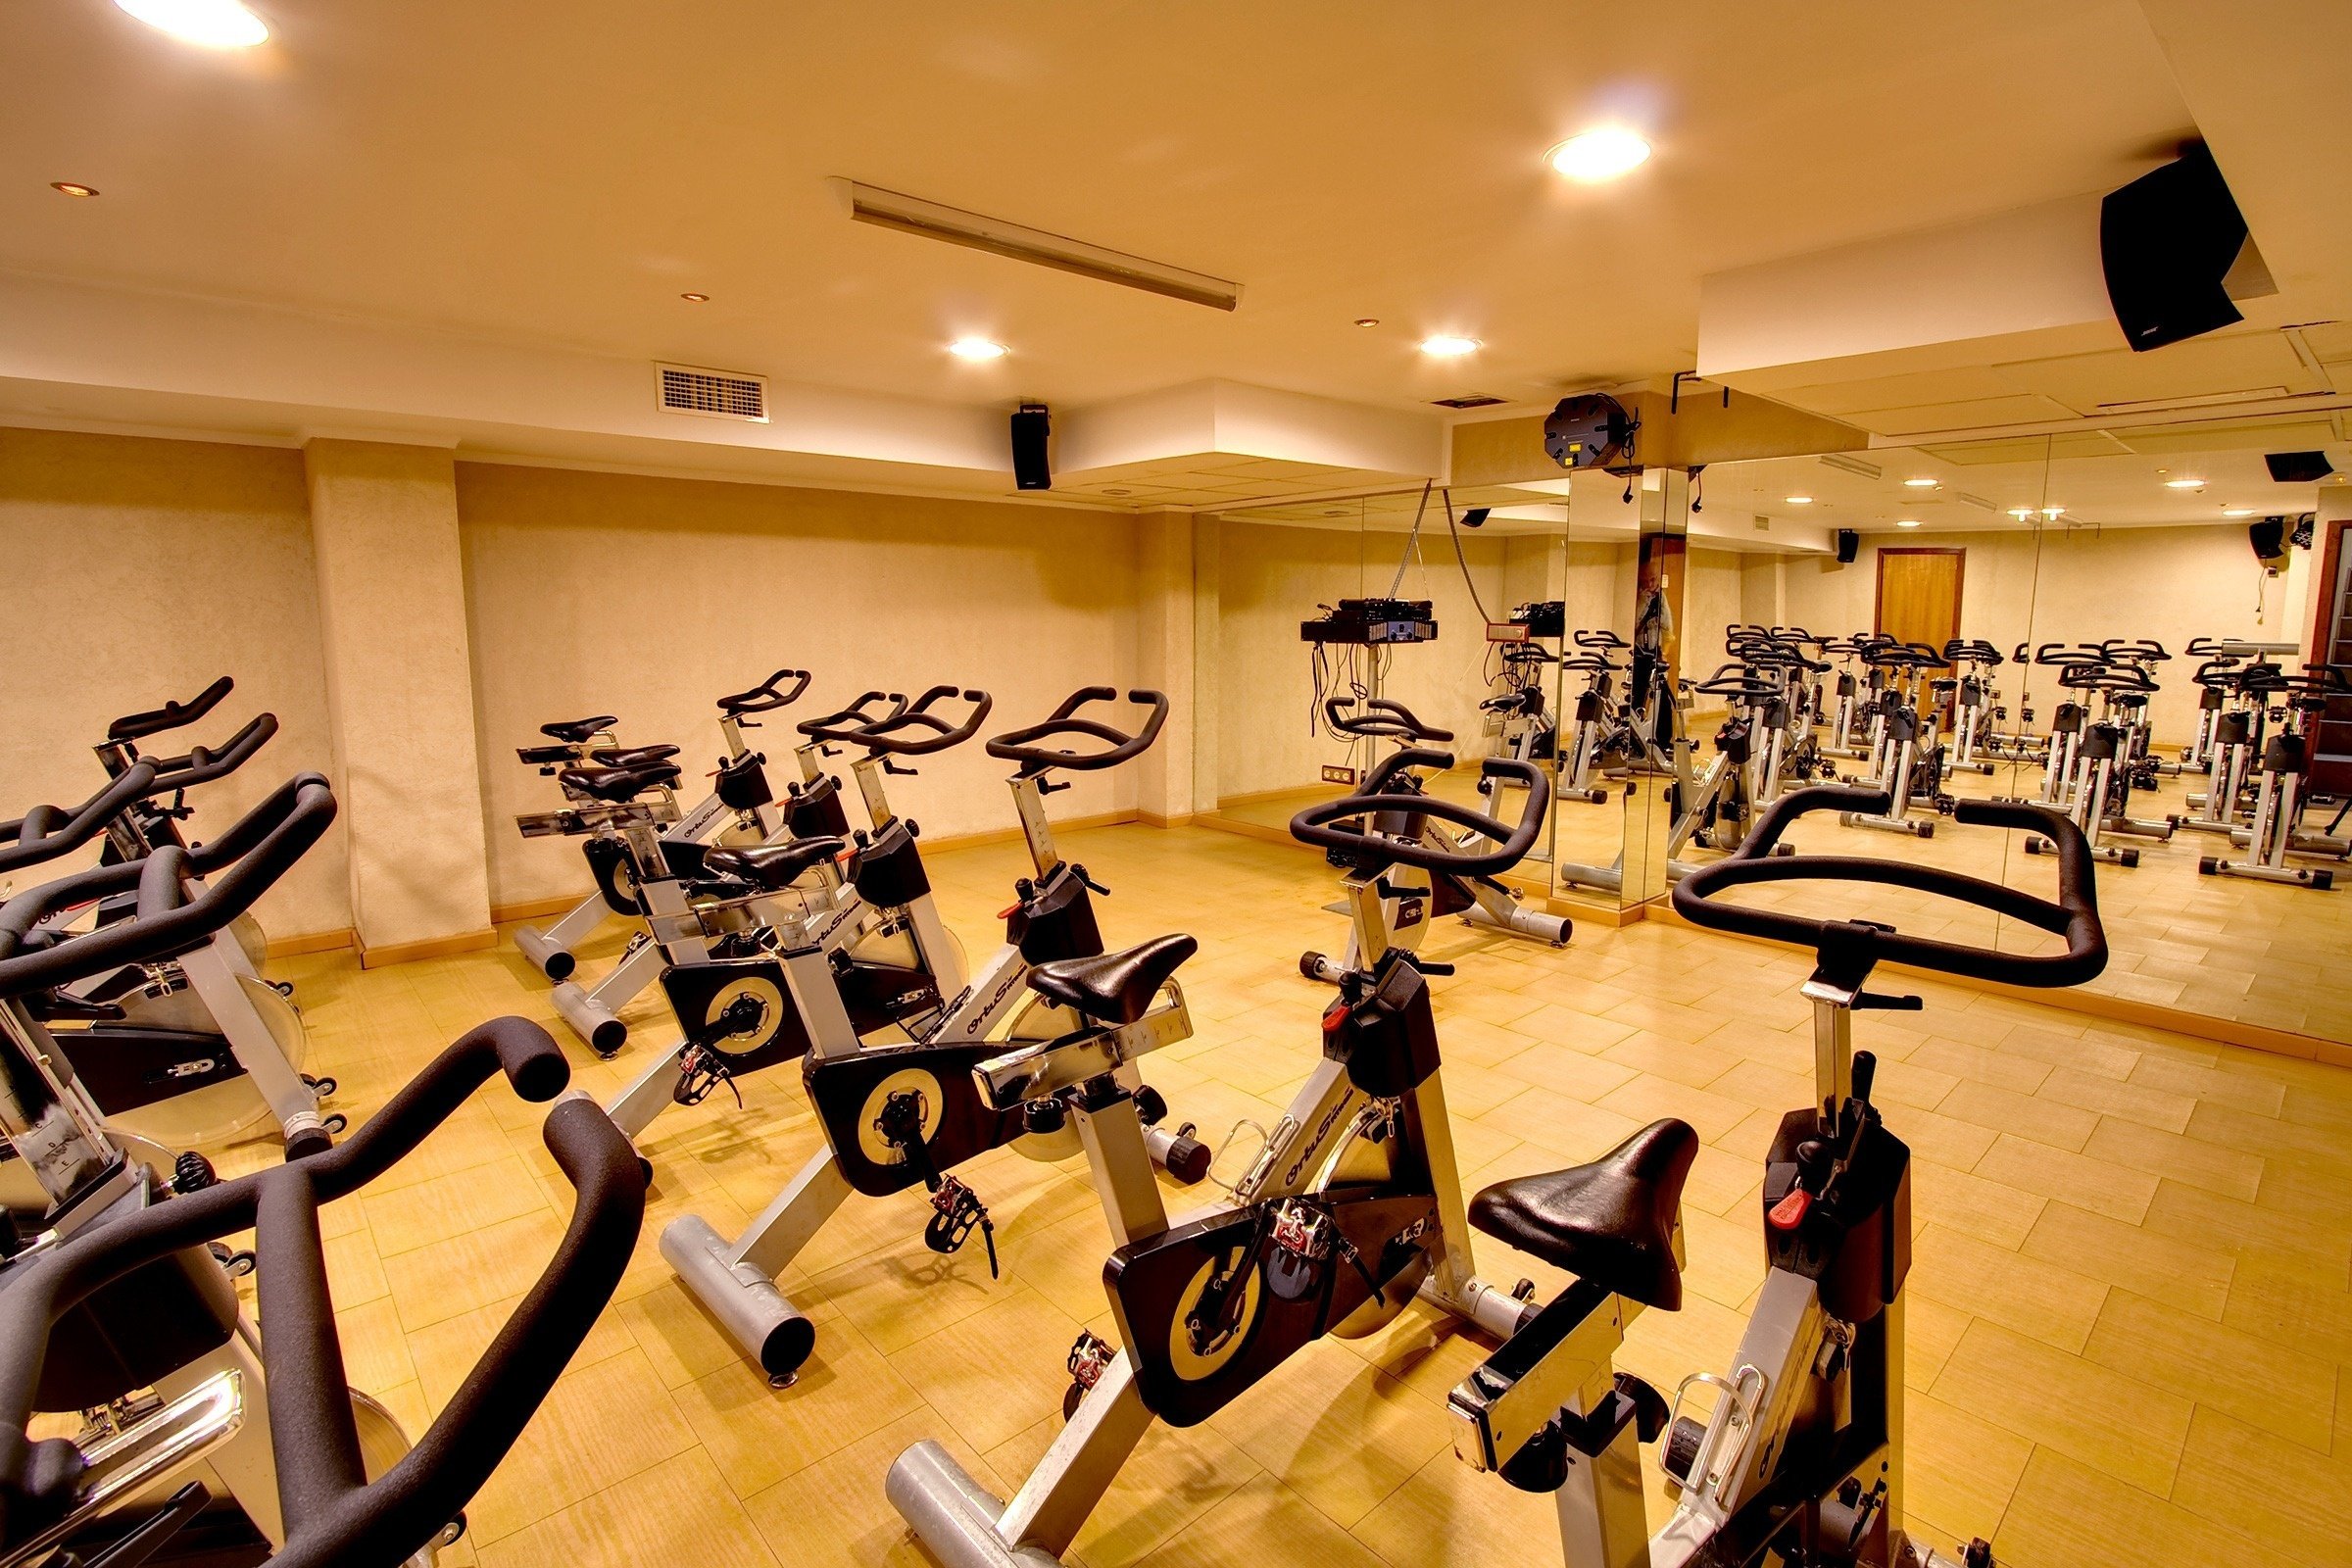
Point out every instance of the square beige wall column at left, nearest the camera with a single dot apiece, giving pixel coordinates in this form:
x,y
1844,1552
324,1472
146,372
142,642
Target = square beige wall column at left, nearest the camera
x,y
392,596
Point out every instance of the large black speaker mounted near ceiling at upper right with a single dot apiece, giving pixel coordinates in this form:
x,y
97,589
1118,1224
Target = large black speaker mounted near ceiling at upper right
x,y
2167,241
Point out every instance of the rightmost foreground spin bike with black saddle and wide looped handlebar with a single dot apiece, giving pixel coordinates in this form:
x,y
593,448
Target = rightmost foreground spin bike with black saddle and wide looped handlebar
x,y
1798,1454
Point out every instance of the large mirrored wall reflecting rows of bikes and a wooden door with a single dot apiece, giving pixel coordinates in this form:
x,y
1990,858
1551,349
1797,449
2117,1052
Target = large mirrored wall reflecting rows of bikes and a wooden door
x,y
2130,626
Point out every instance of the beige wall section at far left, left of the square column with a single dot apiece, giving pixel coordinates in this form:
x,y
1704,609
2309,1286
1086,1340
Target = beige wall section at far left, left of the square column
x,y
140,570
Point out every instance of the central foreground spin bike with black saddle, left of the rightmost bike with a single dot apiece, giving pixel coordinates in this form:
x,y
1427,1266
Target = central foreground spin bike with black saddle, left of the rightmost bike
x,y
1351,1209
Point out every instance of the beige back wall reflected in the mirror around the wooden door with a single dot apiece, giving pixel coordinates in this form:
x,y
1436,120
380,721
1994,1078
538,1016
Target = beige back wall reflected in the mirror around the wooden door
x,y
2078,587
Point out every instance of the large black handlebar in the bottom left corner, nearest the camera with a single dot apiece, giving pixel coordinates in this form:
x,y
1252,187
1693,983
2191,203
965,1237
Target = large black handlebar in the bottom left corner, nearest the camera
x,y
333,1510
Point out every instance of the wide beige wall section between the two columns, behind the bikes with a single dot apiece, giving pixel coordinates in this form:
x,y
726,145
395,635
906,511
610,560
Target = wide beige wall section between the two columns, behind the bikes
x,y
650,598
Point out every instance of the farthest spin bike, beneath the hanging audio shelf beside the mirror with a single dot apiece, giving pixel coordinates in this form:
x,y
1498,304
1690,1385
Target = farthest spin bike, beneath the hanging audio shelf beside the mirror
x,y
1410,894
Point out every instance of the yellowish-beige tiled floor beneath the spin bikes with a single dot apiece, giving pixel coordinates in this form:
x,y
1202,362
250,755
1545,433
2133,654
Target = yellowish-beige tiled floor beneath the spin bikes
x,y
2130,1311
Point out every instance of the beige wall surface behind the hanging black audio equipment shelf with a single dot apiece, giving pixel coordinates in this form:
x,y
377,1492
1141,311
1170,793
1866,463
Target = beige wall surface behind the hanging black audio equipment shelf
x,y
1274,577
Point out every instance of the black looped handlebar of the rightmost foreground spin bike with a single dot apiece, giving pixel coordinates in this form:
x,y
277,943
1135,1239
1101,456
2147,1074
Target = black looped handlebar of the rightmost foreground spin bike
x,y
2073,916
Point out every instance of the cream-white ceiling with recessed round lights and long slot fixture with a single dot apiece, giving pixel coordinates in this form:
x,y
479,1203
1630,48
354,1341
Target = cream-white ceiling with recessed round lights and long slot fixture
x,y
540,185
